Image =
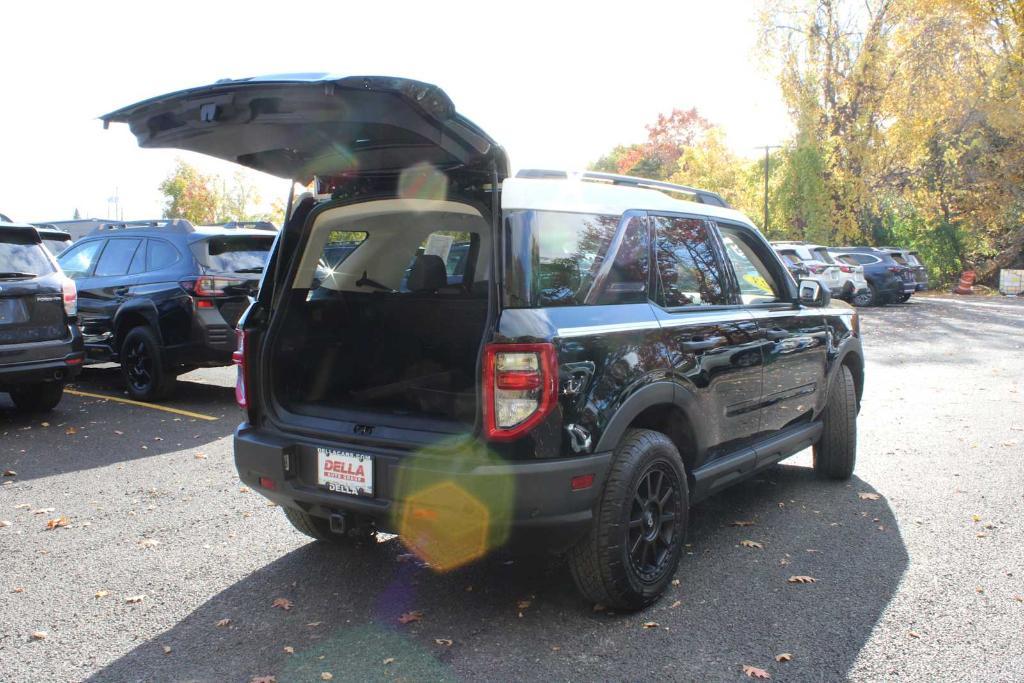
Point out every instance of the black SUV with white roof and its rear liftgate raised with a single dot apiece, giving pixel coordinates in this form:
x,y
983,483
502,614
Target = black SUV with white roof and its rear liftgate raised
x,y
604,356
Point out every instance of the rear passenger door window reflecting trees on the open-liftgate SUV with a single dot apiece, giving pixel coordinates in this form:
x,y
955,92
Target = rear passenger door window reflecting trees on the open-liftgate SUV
x,y
690,272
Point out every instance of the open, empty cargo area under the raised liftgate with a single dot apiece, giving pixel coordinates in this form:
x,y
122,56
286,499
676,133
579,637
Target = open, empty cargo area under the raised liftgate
x,y
387,315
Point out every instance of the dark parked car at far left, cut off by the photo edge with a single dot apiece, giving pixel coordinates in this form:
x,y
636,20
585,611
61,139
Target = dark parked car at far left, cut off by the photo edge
x,y
40,347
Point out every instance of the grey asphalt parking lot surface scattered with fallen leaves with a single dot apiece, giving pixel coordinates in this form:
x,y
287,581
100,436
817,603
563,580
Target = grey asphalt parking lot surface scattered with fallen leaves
x,y
168,570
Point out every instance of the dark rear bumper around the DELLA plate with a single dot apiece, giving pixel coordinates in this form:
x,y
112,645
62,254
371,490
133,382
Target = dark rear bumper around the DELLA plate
x,y
543,515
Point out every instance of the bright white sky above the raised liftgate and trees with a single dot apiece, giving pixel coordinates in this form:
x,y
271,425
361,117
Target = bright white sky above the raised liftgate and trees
x,y
557,83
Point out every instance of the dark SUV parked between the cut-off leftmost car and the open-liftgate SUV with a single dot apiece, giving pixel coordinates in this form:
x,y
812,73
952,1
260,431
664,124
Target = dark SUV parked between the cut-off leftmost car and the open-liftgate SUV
x,y
162,297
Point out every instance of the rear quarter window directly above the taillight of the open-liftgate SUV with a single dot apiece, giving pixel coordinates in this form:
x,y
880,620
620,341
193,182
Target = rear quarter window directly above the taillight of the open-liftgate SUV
x,y
553,258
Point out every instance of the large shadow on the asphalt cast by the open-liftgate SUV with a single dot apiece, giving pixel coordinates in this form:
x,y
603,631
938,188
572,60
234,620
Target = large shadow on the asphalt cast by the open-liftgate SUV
x,y
523,620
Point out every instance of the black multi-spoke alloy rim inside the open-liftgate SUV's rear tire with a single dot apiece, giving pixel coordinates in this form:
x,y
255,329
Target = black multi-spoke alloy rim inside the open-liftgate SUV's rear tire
x,y
654,518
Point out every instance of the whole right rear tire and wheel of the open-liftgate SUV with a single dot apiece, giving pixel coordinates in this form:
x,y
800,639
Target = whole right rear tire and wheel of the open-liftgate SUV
x,y
632,550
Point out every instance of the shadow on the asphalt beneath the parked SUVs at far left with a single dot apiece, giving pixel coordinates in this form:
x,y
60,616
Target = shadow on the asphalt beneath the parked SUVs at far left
x,y
86,433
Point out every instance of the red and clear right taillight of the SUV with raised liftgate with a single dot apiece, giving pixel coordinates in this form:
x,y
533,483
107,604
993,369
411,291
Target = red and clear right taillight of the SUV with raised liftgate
x,y
520,389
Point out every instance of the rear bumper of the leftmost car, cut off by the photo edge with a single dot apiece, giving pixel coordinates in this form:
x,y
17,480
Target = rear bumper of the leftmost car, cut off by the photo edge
x,y
59,361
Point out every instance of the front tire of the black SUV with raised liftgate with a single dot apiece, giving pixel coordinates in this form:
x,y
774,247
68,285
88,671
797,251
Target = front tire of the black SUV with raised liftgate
x,y
836,452
